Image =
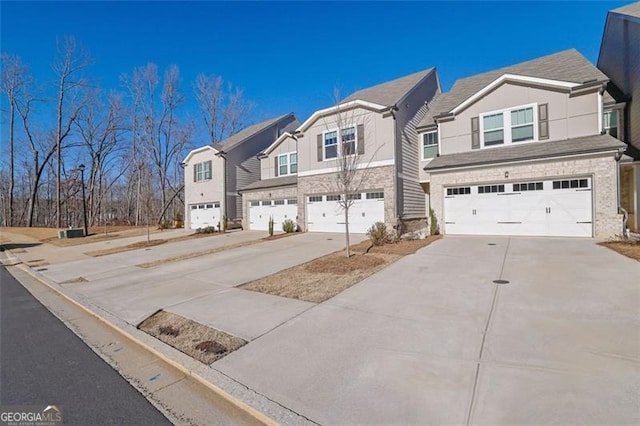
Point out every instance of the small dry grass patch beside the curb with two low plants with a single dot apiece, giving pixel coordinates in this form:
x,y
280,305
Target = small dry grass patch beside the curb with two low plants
x,y
203,343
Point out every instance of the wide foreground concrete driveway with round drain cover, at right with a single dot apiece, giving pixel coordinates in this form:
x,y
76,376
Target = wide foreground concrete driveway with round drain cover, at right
x,y
433,340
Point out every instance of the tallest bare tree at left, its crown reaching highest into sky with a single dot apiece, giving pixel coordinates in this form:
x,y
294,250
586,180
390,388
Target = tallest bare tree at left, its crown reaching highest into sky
x,y
68,65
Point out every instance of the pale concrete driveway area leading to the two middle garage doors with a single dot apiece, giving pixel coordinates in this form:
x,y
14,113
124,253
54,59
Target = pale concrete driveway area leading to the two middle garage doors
x,y
201,288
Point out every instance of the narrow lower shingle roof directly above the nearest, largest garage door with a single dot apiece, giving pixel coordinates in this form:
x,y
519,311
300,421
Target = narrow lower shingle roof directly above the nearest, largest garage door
x,y
527,151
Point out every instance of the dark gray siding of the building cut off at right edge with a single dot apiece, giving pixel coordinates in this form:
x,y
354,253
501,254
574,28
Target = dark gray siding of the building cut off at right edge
x,y
620,60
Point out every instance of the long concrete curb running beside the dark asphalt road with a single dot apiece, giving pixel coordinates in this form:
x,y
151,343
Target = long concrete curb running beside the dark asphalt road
x,y
186,365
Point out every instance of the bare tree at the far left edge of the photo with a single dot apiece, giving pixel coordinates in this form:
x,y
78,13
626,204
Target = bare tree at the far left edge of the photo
x,y
14,80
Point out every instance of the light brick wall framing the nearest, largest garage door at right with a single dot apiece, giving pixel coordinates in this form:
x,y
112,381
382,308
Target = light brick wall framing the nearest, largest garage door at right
x,y
601,169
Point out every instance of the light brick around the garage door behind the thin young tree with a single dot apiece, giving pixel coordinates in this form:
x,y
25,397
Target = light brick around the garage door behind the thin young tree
x,y
376,179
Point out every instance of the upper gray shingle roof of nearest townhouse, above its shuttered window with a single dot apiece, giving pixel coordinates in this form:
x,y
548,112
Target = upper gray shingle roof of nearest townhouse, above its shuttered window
x,y
568,65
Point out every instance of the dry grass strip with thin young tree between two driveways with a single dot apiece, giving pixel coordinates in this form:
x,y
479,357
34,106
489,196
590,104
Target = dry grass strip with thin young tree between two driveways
x,y
325,277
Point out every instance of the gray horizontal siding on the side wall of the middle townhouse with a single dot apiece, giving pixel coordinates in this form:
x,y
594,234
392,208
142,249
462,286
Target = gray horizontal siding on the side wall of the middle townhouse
x,y
411,197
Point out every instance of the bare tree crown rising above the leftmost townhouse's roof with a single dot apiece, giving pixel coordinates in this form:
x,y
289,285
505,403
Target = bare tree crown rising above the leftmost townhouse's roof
x,y
224,110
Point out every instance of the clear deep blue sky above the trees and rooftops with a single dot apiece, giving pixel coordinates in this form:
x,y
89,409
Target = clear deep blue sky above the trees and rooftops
x,y
288,56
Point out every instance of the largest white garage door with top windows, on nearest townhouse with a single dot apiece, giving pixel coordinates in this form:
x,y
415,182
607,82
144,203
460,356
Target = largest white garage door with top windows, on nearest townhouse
x,y
560,207
